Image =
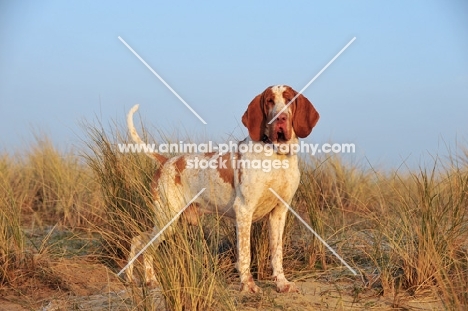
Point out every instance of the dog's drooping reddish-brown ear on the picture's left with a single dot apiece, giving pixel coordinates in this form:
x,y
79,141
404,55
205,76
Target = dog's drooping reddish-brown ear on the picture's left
x,y
254,118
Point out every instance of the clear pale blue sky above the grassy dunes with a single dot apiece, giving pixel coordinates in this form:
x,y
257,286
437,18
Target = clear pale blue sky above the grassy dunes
x,y
400,90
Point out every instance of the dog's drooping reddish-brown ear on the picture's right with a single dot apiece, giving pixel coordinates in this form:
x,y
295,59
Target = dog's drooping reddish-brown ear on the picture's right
x,y
305,117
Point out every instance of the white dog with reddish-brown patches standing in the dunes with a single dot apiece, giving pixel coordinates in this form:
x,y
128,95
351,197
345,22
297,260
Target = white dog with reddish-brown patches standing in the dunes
x,y
240,192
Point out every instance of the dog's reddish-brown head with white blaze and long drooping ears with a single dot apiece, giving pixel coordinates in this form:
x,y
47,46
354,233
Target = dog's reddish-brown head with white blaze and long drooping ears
x,y
296,121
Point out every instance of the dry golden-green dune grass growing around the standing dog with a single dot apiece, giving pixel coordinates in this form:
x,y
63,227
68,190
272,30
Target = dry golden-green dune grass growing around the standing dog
x,y
405,231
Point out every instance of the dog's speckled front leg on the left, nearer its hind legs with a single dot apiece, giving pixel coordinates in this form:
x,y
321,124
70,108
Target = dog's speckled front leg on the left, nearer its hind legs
x,y
243,227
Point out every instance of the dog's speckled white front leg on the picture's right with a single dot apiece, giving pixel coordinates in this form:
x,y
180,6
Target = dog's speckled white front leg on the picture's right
x,y
277,221
